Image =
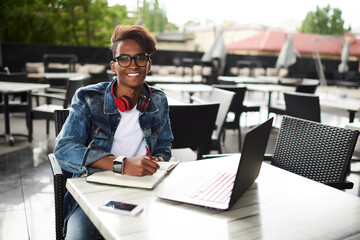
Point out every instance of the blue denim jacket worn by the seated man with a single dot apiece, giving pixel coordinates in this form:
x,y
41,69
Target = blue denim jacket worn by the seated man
x,y
88,132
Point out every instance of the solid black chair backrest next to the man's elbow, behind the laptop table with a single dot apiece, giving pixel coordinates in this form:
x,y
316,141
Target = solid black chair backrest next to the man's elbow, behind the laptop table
x,y
192,125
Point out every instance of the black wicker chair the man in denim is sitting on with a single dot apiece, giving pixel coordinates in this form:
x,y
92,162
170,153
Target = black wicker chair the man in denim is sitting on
x,y
59,177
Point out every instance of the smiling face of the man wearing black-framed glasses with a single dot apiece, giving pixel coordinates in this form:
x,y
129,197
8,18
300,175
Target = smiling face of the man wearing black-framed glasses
x,y
132,76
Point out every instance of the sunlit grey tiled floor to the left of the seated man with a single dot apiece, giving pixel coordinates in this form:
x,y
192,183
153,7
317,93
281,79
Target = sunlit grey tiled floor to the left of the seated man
x,y
26,191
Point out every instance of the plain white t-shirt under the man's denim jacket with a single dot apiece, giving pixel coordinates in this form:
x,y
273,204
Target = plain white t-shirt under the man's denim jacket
x,y
128,139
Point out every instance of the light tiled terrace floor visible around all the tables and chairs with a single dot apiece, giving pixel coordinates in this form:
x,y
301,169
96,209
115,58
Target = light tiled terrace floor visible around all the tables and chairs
x,y
26,187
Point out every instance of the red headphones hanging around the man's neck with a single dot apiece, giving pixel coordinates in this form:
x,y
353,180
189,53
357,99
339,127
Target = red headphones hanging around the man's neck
x,y
124,102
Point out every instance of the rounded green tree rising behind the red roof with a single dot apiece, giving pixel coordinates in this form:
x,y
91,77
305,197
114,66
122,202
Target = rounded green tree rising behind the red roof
x,y
323,21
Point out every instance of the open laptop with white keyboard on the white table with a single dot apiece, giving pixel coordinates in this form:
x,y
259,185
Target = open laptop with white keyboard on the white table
x,y
195,182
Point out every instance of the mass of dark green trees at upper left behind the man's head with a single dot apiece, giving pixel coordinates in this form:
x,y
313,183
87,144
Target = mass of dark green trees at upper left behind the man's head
x,y
72,22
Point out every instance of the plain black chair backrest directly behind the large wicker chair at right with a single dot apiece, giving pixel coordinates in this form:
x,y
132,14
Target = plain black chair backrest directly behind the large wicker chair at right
x,y
303,105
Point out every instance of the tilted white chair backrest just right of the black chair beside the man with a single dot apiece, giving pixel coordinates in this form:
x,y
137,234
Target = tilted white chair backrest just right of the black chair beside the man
x,y
225,98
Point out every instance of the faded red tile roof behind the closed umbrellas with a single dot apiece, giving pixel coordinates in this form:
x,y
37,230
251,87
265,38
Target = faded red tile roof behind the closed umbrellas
x,y
272,41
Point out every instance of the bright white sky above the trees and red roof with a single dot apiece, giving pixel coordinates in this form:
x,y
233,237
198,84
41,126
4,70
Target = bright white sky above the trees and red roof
x,y
273,13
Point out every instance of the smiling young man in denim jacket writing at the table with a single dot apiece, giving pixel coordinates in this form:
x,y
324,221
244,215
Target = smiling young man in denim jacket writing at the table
x,y
111,124
